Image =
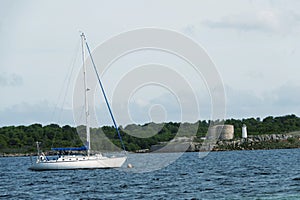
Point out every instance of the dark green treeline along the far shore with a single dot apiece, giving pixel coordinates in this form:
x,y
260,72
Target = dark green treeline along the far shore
x,y
21,139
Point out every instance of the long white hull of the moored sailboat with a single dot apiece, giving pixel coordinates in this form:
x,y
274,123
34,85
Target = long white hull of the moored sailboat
x,y
79,162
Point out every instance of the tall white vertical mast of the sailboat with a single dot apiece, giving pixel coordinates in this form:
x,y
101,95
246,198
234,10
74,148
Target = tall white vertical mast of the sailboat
x,y
85,96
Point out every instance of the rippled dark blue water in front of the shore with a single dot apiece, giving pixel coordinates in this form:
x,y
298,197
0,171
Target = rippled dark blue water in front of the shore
x,y
272,174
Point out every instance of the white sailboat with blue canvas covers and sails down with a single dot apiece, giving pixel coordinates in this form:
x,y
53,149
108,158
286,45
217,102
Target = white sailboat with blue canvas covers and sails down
x,y
75,161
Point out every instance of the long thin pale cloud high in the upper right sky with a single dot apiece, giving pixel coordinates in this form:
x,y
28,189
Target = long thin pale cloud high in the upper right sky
x,y
264,20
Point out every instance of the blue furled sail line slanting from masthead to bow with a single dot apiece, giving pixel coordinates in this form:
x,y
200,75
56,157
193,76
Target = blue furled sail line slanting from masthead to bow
x,y
103,92
